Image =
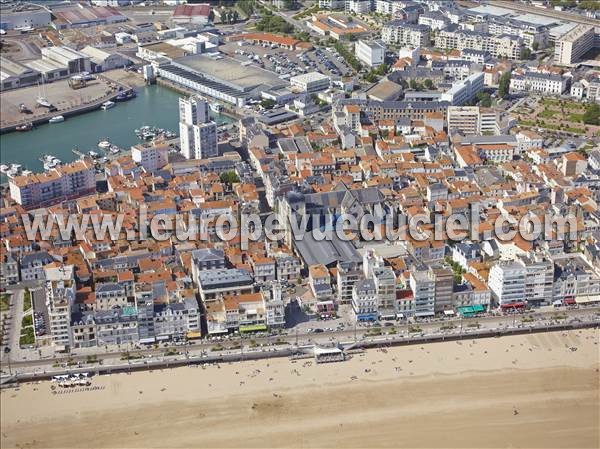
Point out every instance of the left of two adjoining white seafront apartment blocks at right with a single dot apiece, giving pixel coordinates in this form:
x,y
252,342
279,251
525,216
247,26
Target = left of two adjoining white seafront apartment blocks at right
x,y
507,282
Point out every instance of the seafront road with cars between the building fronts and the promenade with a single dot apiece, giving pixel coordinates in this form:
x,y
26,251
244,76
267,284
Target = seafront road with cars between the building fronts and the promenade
x,y
235,345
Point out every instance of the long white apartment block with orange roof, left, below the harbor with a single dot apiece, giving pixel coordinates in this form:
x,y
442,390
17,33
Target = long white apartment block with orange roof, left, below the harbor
x,y
58,184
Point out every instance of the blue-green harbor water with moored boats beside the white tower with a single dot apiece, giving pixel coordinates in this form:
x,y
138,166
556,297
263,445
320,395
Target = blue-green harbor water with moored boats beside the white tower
x,y
154,106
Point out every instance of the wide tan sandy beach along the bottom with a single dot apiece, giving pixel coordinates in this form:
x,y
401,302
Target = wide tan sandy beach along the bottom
x,y
518,391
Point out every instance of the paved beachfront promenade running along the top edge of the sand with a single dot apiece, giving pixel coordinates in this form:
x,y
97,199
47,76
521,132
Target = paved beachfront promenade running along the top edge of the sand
x,y
210,353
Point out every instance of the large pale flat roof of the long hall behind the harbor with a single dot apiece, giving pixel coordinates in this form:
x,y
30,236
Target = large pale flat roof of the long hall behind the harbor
x,y
231,71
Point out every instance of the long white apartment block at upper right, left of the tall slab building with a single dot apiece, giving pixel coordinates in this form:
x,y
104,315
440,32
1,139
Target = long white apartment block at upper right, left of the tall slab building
x,y
497,46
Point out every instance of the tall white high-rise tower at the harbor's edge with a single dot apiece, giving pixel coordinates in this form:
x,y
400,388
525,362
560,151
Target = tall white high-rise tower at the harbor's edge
x,y
197,133
